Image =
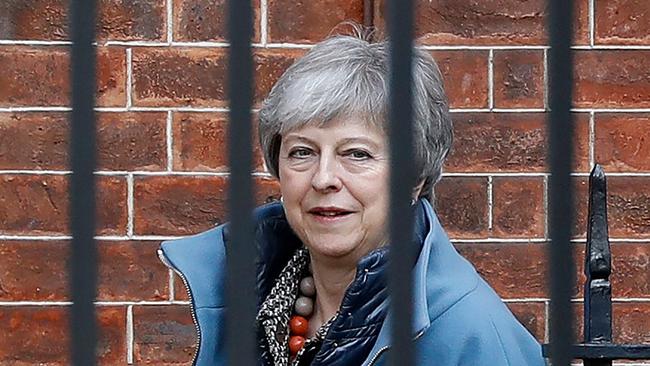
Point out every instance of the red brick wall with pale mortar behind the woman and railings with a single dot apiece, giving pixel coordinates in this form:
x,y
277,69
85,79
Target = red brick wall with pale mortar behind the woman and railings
x,y
163,170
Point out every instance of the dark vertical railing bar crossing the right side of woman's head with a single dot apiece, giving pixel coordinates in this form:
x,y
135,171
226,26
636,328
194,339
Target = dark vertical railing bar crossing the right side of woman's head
x,y
402,181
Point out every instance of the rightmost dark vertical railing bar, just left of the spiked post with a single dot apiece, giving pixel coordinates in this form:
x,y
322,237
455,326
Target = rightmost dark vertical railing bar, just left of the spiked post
x,y
561,207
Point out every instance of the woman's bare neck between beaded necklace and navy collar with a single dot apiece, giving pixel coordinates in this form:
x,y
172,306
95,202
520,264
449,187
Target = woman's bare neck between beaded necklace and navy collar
x,y
331,281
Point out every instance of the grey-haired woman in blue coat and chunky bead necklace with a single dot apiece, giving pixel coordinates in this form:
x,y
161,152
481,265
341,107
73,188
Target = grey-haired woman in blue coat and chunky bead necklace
x,y
323,249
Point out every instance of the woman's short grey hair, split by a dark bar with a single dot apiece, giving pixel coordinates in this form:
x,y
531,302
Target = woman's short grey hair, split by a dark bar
x,y
349,76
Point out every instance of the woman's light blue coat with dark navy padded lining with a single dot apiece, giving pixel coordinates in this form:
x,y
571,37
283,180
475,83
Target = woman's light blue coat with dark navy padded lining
x,y
457,318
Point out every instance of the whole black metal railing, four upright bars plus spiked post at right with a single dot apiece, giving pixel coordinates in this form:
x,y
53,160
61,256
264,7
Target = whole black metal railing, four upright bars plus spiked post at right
x,y
241,296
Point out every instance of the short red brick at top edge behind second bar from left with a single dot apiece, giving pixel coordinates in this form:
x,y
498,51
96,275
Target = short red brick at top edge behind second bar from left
x,y
196,21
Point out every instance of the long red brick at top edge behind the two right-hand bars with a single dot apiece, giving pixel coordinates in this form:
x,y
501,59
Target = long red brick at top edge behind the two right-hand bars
x,y
467,22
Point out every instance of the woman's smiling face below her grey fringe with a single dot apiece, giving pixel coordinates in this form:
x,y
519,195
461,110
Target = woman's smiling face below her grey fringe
x,y
334,183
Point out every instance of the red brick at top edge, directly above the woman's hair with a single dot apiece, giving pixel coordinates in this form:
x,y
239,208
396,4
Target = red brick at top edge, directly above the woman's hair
x,y
310,21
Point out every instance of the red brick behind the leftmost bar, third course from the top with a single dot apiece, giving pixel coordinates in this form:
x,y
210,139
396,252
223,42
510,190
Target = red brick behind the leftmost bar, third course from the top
x,y
125,141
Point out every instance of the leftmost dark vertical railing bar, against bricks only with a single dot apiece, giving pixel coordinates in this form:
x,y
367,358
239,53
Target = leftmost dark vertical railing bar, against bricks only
x,y
83,259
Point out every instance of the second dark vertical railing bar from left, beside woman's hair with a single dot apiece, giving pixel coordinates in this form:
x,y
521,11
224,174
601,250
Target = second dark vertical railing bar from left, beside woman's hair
x,y
240,288
